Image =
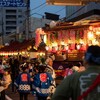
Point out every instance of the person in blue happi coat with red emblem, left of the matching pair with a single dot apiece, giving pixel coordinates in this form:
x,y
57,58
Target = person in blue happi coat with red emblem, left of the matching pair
x,y
23,82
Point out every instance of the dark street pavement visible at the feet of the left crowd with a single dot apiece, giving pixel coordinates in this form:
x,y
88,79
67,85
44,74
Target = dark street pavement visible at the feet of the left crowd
x,y
14,95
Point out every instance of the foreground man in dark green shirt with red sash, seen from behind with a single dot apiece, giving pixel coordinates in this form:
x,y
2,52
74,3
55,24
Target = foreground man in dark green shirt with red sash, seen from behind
x,y
83,85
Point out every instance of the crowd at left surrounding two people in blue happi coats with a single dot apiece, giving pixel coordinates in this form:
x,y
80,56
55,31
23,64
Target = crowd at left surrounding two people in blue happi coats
x,y
26,77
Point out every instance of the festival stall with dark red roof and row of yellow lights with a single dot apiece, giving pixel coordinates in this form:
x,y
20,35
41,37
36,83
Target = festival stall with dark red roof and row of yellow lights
x,y
16,48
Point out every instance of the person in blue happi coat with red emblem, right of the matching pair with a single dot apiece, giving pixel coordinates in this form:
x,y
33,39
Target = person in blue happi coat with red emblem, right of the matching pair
x,y
42,82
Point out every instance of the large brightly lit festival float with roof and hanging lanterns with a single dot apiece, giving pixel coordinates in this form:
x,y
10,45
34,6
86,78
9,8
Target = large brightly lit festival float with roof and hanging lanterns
x,y
67,41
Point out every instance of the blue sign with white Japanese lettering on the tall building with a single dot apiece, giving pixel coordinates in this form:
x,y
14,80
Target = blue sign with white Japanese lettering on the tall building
x,y
12,3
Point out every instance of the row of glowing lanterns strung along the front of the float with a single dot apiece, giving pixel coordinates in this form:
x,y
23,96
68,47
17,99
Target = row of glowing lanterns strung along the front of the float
x,y
92,38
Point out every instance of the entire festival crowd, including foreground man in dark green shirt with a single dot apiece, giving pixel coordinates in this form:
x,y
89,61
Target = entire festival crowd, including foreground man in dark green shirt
x,y
38,78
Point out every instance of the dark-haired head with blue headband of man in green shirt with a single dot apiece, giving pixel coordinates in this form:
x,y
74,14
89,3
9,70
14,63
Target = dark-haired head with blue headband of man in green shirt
x,y
92,55
